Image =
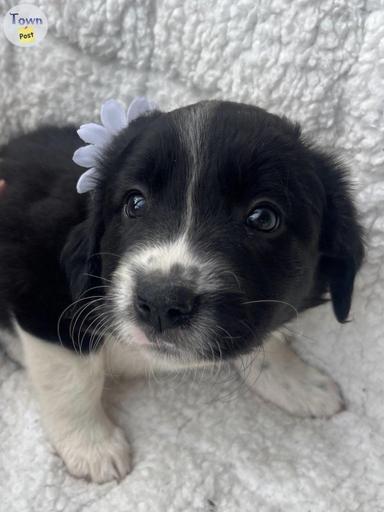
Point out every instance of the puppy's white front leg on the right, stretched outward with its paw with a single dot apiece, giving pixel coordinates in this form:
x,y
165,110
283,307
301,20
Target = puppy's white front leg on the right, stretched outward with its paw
x,y
279,376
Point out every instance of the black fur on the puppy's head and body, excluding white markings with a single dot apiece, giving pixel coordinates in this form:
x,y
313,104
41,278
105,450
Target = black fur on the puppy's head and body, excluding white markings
x,y
54,247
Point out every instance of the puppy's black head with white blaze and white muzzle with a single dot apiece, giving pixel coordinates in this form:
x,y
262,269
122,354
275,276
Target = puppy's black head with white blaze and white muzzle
x,y
213,225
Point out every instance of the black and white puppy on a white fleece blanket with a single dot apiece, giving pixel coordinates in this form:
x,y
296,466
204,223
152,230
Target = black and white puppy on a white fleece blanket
x,y
211,226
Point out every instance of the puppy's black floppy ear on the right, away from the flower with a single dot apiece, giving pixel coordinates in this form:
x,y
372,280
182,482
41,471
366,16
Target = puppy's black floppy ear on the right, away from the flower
x,y
341,242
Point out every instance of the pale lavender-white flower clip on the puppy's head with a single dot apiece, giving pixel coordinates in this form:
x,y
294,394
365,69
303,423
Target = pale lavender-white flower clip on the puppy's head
x,y
114,118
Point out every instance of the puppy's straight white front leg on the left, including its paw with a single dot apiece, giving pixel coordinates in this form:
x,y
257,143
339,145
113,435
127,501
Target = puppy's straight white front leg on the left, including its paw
x,y
69,388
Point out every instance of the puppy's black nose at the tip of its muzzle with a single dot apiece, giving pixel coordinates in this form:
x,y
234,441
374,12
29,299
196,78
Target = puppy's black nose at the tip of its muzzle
x,y
163,305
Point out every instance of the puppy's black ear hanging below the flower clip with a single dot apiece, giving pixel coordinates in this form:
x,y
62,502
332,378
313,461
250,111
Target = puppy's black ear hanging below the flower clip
x,y
80,258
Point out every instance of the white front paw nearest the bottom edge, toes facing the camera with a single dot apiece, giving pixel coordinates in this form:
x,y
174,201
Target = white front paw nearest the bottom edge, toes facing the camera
x,y
101,455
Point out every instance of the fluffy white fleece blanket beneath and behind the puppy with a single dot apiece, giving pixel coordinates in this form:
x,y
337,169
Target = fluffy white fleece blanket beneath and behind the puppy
x,y
321,63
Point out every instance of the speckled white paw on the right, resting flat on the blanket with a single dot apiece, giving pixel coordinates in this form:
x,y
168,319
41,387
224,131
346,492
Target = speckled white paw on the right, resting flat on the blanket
x,y
301,390
